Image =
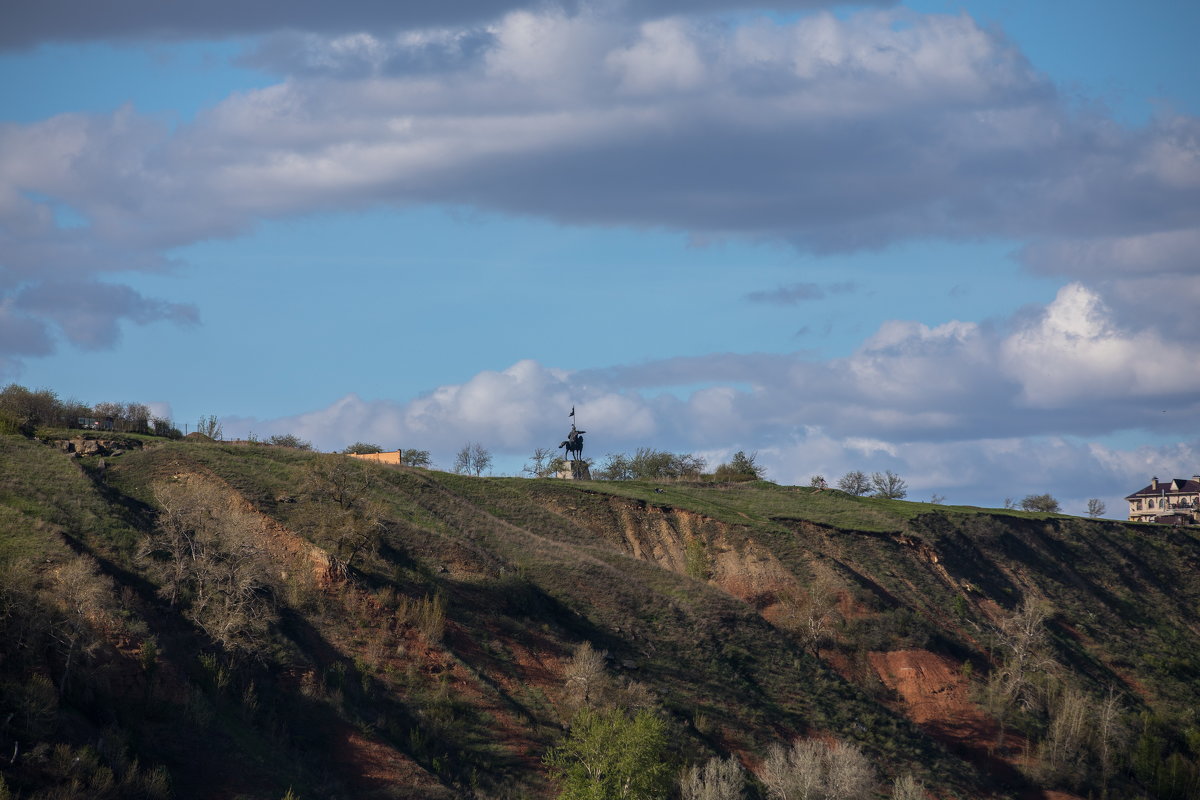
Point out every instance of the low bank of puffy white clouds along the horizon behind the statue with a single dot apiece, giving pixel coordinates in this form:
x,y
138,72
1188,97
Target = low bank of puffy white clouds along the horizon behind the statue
x,y
958,410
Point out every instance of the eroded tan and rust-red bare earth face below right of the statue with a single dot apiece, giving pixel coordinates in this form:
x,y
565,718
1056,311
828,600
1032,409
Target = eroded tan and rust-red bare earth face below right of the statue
x,y
928,688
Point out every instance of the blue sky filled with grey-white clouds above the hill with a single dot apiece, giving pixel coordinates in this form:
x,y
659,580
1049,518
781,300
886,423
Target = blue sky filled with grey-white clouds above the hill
x,y
952,239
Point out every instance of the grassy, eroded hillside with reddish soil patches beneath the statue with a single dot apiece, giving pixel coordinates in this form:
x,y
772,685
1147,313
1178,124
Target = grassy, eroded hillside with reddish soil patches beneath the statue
x,y
205,621
